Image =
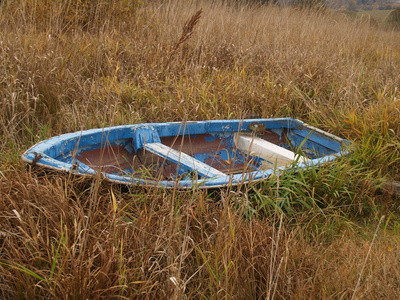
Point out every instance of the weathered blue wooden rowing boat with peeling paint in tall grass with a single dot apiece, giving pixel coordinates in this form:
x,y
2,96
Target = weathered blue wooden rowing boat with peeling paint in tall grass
x,y
205,154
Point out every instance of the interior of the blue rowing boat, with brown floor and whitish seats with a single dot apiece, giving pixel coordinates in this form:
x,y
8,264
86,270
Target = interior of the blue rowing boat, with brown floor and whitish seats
x,y
200,155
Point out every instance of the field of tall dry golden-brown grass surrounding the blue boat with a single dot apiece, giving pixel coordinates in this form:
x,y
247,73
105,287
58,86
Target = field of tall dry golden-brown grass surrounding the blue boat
x,y
331,233
